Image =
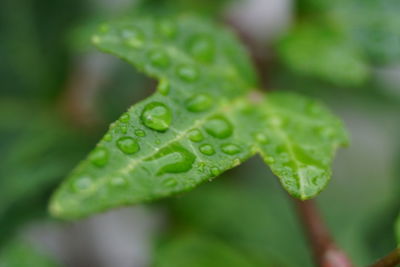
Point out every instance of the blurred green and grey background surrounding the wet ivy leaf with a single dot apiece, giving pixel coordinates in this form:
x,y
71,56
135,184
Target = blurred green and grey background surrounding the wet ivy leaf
x,y
58,95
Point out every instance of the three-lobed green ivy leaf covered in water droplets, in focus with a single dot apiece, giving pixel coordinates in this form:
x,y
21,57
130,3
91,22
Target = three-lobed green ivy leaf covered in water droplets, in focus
x,y
203,120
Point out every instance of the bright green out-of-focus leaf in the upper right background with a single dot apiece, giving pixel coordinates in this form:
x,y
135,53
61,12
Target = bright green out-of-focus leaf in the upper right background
x,y
320,50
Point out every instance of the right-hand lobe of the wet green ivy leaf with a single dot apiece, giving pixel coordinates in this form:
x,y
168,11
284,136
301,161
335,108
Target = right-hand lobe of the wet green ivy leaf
x,y
298,141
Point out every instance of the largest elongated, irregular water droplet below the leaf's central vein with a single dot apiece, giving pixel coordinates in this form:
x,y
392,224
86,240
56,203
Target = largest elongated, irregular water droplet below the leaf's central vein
x,y
173,159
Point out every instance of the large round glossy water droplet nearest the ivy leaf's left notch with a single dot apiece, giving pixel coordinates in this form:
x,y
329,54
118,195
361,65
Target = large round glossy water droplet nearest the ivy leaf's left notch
x,y
156,116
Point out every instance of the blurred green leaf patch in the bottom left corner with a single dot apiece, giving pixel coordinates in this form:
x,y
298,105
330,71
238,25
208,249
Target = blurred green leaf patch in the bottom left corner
x,y
21,254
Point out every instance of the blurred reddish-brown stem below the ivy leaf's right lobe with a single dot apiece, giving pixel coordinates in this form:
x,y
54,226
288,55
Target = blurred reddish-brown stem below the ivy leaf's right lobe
x,y
326,253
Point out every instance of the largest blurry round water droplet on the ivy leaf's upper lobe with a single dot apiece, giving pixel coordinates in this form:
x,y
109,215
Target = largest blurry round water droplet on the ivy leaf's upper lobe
x,y
202,47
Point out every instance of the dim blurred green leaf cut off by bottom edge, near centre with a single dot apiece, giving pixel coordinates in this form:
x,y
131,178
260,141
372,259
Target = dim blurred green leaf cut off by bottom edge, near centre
x,y
198,251
